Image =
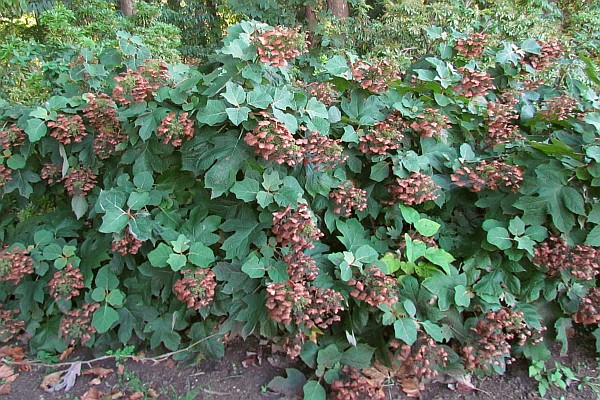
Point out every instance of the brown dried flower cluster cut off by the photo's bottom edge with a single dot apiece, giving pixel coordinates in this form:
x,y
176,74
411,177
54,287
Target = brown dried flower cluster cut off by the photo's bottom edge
x,y
353,385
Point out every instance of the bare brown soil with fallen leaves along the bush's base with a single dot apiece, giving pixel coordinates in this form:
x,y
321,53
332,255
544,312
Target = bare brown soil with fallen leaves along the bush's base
x,y
248,367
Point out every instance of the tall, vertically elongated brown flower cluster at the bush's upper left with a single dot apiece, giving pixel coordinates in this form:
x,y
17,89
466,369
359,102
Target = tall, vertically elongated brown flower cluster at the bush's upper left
x,y
102,115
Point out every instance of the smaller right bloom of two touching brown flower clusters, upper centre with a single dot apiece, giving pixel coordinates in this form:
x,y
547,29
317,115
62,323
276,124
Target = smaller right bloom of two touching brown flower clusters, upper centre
x,y
323,152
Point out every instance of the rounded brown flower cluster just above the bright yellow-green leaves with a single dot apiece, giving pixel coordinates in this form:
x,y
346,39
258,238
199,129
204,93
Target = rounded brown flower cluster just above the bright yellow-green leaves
x,y
416,189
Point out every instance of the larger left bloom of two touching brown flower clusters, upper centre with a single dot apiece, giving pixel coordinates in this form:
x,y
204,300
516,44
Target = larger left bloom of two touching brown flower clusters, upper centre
x,y
274,142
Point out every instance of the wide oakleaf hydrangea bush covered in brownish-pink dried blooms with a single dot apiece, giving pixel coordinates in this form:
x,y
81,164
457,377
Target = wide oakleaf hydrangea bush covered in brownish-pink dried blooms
x,y
371,223
